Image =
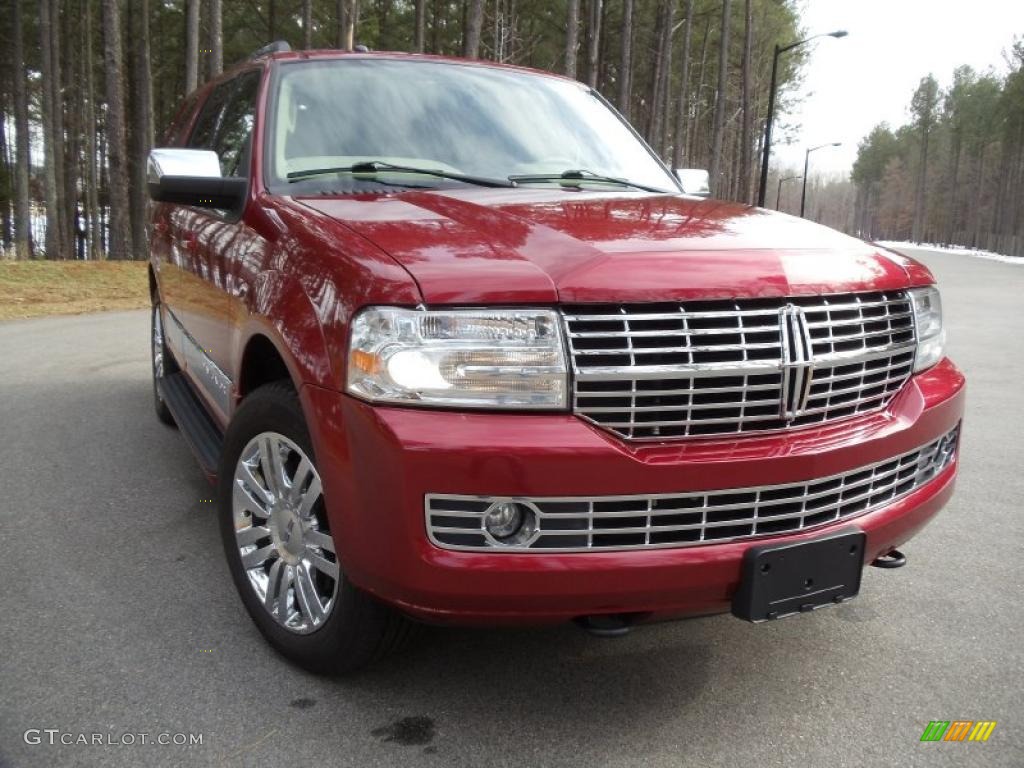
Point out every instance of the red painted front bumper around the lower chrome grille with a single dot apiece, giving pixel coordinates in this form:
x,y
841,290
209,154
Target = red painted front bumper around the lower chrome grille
x,y
378,464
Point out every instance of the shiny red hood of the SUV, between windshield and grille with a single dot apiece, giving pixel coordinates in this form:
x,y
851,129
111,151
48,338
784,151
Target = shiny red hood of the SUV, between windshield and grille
x,y
546,246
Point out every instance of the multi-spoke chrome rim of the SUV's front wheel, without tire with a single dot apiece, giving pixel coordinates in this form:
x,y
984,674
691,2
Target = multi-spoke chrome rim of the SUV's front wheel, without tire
x,y
281,531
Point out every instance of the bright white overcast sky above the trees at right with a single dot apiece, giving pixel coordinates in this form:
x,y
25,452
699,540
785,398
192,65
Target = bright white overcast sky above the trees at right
x,y
854,83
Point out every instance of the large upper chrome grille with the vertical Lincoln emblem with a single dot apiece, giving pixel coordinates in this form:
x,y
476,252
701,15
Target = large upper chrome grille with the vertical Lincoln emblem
x,y
657,372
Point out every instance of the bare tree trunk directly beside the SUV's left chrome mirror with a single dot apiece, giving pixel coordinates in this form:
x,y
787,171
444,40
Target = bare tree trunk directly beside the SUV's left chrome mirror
x,y
142,122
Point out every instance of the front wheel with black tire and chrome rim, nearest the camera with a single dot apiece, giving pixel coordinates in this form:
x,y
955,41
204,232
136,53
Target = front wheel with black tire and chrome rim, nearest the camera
x,y
280,548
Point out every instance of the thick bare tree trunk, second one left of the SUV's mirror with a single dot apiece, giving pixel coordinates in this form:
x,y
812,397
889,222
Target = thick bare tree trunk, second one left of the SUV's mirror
x,y
117,167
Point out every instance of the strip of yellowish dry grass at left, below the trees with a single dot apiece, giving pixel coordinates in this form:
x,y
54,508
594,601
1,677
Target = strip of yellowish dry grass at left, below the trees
x,y
32,289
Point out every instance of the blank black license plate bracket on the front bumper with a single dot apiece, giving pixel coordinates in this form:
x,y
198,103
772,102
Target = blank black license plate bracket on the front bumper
x,y
783,580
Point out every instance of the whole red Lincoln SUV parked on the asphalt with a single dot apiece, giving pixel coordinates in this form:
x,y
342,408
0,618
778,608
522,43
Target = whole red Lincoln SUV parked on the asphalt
x,y
457,347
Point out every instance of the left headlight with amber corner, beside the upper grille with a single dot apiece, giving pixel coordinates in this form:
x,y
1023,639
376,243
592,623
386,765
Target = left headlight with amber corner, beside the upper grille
x,y
507,359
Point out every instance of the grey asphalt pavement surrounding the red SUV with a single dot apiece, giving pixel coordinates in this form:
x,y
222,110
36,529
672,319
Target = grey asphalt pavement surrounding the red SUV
x,y
118,616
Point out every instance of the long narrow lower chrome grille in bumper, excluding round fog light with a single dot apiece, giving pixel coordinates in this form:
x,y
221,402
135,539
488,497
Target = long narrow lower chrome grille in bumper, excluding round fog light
x,y
651,522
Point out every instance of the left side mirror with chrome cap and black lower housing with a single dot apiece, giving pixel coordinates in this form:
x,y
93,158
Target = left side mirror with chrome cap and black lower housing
x,y
192,178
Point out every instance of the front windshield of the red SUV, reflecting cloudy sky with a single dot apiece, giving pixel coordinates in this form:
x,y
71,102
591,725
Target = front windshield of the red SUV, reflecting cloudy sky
x,y
475,121
